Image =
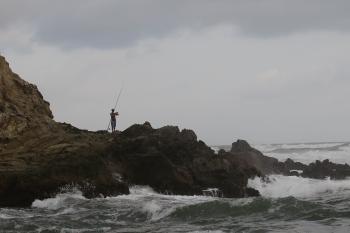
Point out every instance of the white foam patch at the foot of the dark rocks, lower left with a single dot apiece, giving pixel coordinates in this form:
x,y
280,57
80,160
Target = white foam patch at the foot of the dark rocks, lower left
x,y
58,202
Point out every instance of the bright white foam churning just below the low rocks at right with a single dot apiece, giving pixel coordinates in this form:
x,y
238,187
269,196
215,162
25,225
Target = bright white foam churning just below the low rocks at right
x,y
284,186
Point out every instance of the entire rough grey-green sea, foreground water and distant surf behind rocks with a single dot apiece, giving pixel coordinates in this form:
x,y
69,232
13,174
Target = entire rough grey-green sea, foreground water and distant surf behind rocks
x,y
287,204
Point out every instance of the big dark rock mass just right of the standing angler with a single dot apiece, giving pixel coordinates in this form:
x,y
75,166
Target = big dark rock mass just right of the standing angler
x,y
173,161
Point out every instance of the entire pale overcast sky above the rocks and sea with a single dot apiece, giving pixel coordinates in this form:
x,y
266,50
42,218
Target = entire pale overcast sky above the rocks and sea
x,y
267,71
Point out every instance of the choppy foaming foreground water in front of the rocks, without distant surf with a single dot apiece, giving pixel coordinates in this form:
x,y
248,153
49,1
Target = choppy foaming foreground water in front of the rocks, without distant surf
x,y
147,211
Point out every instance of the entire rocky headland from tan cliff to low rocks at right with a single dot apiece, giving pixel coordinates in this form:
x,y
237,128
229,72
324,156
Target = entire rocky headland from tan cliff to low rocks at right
x,y
40,157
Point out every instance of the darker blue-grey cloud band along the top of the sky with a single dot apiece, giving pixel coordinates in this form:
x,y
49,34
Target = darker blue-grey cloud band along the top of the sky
x,y
107,23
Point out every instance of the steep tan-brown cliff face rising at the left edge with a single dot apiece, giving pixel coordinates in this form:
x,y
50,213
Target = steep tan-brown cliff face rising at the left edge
x,y
22,106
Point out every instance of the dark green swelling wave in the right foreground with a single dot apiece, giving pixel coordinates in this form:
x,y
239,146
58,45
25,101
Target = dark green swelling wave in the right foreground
x,y
269,209
